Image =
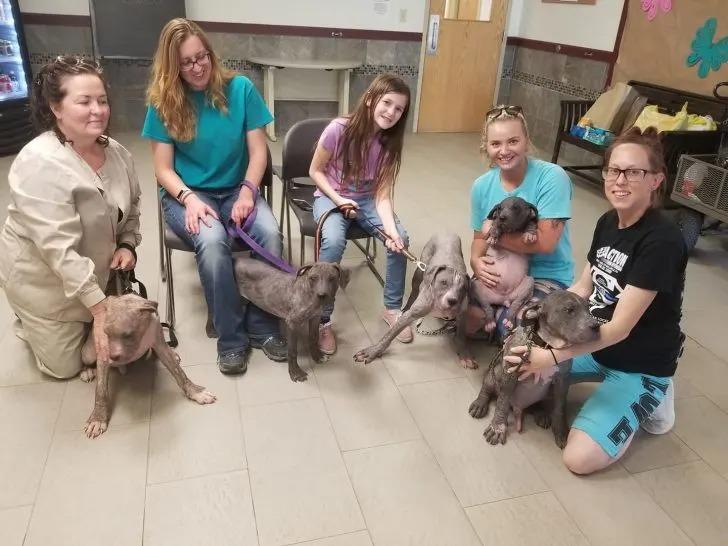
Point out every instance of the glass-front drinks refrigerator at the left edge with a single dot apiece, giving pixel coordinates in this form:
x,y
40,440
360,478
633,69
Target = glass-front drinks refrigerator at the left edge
x,y
15,126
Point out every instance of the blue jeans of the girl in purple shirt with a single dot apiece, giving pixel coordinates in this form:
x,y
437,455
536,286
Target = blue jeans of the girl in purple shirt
x,y
333,242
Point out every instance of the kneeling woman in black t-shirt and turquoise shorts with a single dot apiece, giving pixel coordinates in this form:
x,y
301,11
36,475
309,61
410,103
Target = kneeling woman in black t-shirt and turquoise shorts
x,y
634,282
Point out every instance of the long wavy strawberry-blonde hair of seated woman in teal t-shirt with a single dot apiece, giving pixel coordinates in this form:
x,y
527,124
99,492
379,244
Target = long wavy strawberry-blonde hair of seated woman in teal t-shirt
x,y
167,92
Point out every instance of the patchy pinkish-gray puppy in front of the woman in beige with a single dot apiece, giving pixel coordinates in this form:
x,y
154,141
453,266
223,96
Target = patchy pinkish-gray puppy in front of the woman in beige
x,y
133,328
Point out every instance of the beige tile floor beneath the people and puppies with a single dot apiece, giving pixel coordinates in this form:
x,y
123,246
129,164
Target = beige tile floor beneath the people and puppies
x,y
356,456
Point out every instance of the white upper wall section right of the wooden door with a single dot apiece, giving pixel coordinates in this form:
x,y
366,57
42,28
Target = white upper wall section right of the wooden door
x,y
593,26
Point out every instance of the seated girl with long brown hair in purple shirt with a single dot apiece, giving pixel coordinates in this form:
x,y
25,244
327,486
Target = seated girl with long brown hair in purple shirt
x,y
356,162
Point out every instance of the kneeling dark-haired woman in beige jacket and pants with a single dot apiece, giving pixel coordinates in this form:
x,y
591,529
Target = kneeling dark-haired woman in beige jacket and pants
x,y
73,217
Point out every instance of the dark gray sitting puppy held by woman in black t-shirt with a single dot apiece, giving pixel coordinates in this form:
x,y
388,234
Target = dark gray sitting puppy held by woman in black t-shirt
x,y
562,319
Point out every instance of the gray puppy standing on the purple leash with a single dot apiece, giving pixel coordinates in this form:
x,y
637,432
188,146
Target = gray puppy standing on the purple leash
x,y
297,299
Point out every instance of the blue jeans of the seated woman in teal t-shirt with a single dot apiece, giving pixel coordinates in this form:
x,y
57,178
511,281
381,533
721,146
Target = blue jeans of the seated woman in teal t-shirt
x,y
233,322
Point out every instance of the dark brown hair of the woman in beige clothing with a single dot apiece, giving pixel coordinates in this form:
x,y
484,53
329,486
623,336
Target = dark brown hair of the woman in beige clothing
x,y
48,90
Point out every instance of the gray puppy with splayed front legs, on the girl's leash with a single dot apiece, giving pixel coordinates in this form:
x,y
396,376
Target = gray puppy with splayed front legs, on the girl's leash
x,y
442,290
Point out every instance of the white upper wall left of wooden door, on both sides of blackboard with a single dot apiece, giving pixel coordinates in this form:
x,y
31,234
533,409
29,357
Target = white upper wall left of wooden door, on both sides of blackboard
x,y
392,15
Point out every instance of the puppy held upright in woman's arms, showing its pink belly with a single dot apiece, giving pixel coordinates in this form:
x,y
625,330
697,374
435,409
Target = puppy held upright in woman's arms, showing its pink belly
x,y
515,287
